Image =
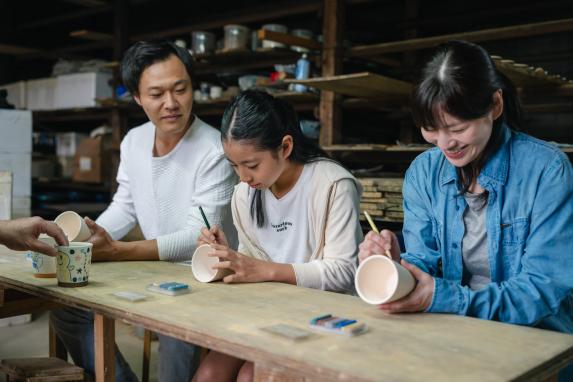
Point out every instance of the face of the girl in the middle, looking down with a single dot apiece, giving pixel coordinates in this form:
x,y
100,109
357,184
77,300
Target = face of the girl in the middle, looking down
x,y
258,168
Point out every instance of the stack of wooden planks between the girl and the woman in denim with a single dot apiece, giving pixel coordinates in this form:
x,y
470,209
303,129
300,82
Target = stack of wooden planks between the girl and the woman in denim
x,y
382,198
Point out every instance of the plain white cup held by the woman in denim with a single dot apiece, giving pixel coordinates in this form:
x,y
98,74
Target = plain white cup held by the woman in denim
x,y
379,280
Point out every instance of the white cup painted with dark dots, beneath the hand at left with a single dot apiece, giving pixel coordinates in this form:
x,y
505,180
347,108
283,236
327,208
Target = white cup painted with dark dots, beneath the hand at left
x,y
73,264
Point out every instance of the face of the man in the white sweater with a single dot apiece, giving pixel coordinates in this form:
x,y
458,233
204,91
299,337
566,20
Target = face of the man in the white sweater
x,y
166,95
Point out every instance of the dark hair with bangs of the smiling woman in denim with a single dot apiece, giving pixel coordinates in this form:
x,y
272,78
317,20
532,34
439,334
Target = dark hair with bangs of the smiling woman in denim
x,y
461,79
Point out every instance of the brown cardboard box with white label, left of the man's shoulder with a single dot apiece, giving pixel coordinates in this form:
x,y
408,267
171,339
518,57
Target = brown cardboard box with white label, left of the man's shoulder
x,y
93,160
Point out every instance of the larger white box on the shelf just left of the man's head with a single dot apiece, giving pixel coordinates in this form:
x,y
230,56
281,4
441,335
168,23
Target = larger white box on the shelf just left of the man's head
x,y
81,89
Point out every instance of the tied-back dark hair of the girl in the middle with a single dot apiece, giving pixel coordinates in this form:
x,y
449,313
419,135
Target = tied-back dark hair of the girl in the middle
x,y
264,121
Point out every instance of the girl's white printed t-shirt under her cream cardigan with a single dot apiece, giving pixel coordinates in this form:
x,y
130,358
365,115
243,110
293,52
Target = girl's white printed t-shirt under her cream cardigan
x,y
285,237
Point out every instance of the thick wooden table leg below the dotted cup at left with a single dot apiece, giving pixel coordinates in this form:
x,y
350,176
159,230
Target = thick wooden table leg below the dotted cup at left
x,y
104,342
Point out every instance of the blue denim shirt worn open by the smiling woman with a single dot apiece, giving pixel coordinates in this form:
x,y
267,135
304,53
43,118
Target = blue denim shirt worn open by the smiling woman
x,y
529,222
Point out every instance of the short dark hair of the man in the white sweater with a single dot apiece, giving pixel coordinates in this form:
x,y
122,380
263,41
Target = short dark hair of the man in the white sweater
x,y
143,54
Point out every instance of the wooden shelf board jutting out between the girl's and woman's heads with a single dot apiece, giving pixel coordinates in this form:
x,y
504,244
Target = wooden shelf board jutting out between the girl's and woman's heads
x,y
362,85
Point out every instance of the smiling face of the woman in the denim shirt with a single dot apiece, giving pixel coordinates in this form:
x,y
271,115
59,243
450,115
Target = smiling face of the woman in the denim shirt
x,y
461,141
